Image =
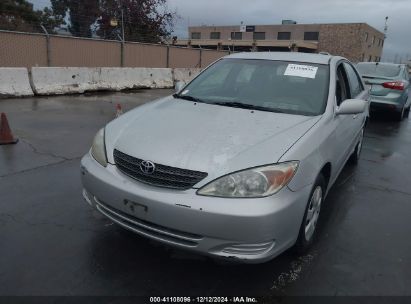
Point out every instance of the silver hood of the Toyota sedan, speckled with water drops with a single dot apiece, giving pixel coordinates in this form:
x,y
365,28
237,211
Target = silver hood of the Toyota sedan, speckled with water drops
x,y
203,137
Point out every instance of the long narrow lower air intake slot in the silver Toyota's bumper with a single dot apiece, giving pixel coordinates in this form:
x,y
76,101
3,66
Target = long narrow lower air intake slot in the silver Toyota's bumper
x,y
148,229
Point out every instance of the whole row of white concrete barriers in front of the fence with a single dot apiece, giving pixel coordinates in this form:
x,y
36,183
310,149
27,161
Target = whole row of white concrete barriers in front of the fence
x,y
68,80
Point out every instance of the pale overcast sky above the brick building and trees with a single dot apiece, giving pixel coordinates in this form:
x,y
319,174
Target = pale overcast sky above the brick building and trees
x,y
255,12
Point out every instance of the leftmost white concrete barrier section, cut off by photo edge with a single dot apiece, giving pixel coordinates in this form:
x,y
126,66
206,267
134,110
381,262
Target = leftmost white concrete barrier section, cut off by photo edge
x,y
14,82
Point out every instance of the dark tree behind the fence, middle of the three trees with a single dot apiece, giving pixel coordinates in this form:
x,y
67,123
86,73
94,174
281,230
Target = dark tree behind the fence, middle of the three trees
x,y
83,14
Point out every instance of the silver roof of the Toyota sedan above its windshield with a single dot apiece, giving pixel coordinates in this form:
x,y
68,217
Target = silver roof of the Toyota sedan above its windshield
x,y
284,56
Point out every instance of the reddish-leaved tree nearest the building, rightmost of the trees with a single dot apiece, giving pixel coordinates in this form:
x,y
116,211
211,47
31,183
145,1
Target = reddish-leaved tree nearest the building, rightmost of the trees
x,y
144,20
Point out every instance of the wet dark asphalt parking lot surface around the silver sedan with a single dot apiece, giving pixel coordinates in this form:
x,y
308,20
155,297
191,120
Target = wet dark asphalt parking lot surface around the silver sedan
x,y
53,243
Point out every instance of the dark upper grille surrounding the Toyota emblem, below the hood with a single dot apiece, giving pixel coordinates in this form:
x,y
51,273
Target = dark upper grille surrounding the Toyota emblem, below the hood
x,y
163,176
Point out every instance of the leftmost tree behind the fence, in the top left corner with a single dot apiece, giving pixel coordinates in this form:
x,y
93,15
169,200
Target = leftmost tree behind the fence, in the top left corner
x,y
19,15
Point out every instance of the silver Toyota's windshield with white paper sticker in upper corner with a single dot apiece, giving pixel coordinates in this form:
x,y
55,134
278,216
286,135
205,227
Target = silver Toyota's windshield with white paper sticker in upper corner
x,y
278,86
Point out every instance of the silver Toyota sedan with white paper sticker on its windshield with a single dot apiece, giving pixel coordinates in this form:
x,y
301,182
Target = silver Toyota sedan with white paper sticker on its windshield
x,y
238,162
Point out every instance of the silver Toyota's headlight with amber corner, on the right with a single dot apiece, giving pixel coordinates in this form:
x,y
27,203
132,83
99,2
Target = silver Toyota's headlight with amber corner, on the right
x,y
254,182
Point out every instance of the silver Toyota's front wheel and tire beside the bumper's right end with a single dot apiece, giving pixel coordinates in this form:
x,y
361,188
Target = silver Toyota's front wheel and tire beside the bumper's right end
x,y
308,229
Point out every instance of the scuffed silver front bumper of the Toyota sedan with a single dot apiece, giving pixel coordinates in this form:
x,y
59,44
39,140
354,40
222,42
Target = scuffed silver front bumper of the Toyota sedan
x,y
252,230
